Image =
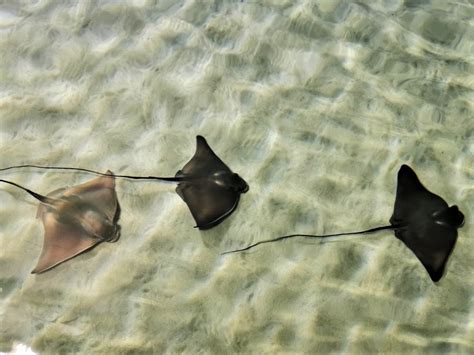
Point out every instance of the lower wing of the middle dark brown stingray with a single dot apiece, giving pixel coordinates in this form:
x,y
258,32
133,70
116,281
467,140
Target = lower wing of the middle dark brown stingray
x,y
209,203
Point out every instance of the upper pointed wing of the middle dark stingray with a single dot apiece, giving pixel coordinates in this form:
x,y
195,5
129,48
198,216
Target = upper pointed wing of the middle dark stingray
x,y
204,162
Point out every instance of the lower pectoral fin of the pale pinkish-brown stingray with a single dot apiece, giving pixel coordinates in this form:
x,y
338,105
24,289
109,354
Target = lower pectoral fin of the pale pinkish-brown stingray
x,y
61,243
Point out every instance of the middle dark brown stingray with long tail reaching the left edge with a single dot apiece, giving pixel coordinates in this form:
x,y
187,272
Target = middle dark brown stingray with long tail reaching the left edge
x,y
206,184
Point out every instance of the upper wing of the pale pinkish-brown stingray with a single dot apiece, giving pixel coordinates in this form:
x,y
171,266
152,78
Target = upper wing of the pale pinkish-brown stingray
x,y
99,192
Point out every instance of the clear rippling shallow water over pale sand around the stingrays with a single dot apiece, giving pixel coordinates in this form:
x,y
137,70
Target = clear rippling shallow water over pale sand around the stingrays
x,y
315,104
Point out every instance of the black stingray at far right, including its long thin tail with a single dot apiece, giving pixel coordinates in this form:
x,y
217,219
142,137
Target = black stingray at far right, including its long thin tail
x,y
422,220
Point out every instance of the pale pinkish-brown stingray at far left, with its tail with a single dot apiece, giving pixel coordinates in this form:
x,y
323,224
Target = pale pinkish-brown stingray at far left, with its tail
x,y
76,219
